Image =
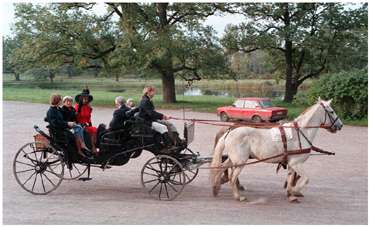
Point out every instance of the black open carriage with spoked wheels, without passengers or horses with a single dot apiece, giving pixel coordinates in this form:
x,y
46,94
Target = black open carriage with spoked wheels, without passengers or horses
x,y
40,166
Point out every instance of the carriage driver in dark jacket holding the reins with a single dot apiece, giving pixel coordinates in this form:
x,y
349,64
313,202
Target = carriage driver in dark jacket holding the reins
x,y
158,121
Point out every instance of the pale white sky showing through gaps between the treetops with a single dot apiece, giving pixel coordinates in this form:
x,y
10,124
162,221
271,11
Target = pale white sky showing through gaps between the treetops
x,y
217,22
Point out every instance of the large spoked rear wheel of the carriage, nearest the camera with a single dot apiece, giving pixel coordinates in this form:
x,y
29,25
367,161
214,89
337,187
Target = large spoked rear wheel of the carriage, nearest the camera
x,y
38,170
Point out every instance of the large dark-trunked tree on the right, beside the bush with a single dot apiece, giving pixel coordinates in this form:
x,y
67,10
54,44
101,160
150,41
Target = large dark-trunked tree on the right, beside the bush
x,y
304,36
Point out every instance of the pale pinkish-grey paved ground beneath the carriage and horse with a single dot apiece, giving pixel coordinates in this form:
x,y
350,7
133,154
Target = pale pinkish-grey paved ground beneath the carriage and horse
x,y
337,192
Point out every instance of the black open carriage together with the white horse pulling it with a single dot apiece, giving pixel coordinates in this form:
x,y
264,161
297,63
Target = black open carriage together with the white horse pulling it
x,y
165,175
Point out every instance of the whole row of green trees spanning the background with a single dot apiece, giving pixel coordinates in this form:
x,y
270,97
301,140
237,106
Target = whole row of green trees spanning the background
x,y
291,42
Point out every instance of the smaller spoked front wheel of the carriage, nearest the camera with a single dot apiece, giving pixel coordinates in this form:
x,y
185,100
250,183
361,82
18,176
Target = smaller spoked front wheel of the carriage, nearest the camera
x,y
163,177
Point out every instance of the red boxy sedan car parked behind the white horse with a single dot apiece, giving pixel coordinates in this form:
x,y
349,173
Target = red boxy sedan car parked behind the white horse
x,y
254,109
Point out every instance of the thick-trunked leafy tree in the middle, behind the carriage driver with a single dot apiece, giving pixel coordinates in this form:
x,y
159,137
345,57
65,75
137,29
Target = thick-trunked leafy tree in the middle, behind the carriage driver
x,y
157,33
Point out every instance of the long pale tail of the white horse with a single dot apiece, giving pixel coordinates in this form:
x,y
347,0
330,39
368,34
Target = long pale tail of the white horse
x,y
215,175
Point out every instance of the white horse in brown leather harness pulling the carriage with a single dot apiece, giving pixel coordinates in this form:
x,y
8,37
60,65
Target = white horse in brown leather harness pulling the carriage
x,y
244,142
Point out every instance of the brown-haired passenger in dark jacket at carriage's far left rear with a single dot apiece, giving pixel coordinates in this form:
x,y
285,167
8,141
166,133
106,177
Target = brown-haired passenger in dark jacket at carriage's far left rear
x,y
58,123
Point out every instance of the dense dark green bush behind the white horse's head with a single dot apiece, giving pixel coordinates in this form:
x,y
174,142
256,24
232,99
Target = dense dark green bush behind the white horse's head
x,y
348,91
